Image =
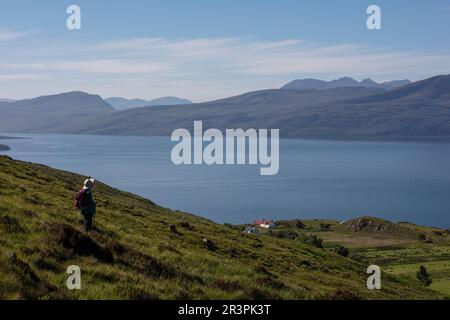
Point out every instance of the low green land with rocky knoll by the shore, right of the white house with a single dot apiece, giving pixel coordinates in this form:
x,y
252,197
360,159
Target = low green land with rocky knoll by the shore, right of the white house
x,y
398,248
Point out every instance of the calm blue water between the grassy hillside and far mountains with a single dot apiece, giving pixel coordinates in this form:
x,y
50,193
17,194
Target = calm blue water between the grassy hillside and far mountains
x,y
317,179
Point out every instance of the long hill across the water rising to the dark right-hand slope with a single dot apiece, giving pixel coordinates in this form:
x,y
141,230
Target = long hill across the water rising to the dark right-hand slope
x,y
420,110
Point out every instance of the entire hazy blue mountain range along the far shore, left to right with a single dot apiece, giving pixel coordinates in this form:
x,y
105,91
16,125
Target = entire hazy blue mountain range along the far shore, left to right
x,y
415,111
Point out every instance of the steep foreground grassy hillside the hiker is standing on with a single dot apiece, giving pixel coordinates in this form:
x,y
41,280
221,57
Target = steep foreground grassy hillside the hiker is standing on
x,y
135,256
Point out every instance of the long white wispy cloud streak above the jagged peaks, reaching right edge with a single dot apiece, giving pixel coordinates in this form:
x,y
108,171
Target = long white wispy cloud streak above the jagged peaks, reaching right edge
x,y
283,57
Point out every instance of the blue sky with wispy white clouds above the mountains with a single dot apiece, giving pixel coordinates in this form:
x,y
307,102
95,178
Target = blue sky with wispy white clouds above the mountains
x,y
209,49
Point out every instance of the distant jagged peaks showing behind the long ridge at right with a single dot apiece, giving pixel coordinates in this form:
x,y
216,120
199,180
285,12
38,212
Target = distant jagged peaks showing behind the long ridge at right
x,y
307,84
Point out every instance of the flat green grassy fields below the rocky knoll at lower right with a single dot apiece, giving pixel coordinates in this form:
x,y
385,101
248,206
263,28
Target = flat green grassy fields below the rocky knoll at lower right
x,y
399,253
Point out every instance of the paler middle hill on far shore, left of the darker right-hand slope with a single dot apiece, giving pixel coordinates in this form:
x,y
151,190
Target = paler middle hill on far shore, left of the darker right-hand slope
x,y
282,109
